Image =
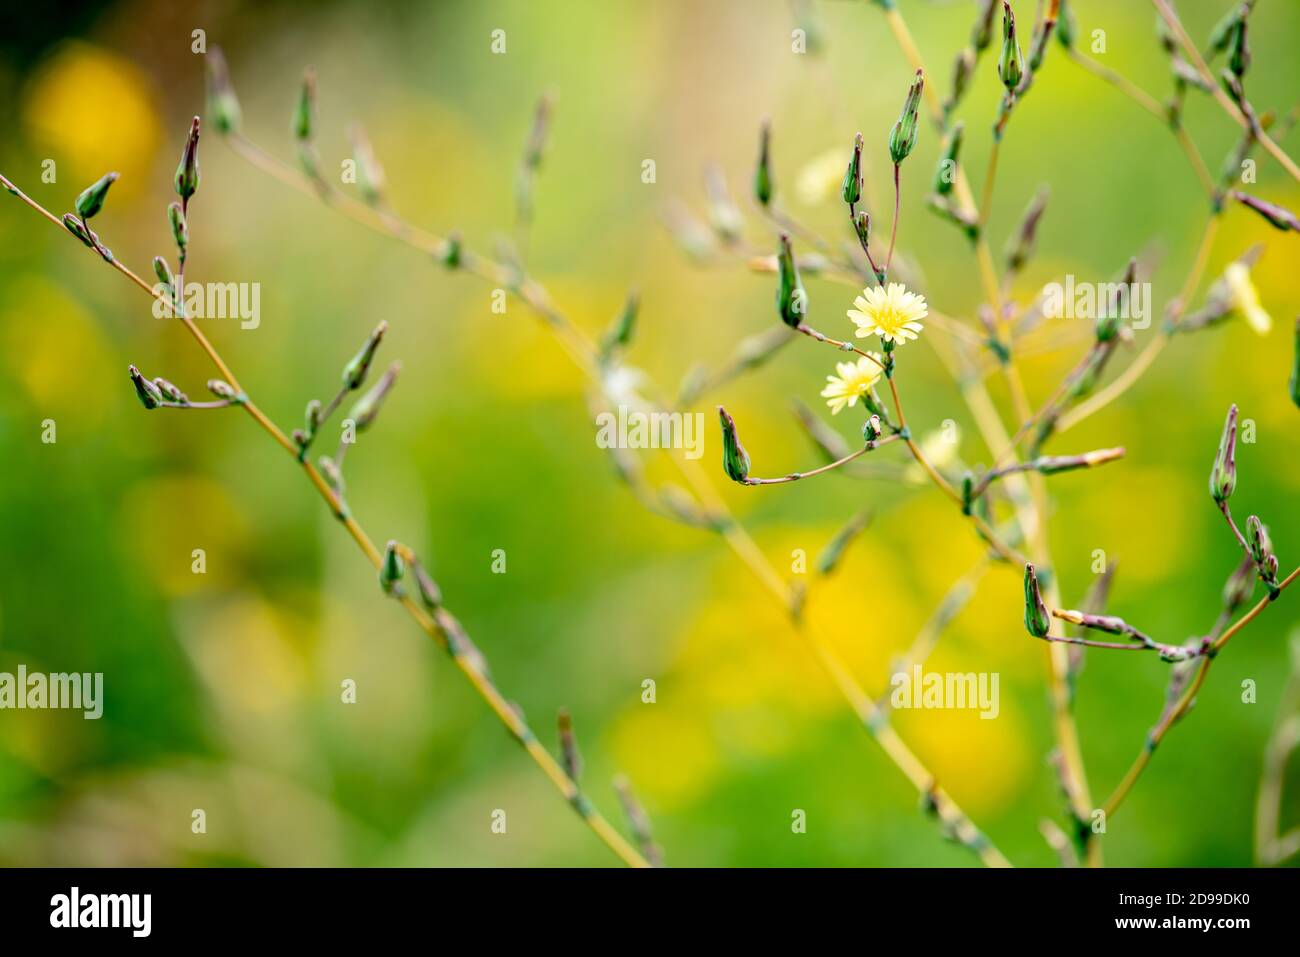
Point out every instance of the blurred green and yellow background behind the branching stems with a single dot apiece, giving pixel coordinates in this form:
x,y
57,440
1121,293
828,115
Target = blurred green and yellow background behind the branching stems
x,y
223,690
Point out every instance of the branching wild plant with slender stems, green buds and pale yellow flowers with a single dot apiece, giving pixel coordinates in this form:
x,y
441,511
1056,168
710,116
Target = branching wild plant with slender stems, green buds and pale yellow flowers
x,y
1006,501
